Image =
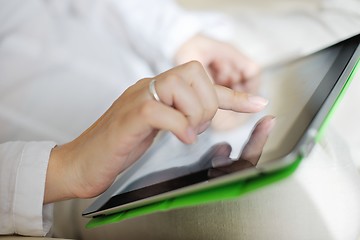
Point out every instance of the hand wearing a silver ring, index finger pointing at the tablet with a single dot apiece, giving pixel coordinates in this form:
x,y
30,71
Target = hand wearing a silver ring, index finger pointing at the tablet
x,y
88,165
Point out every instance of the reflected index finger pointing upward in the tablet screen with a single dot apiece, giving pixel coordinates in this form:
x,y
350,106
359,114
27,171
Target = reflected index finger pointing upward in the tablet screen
x,y
253,148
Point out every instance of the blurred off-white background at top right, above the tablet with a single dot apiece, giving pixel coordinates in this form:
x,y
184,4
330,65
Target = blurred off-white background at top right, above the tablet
x,y
275,30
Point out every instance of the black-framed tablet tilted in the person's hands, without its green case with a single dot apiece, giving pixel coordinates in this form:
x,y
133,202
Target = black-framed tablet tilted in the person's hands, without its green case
x,y
303,91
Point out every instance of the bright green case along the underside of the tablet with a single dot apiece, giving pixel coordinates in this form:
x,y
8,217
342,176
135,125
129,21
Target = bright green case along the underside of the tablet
x,y
223,192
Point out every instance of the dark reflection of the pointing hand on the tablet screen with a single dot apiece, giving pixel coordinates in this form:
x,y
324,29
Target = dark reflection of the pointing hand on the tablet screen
x,y
217,159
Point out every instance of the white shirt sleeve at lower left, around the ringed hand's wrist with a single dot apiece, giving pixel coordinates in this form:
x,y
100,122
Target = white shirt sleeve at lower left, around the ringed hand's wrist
x,y
23,167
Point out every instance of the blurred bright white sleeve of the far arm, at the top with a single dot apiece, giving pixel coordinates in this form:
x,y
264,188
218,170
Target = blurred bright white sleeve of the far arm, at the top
x,y
157,28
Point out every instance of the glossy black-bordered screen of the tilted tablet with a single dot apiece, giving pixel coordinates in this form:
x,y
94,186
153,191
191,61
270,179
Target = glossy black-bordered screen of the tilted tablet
x,y
296,91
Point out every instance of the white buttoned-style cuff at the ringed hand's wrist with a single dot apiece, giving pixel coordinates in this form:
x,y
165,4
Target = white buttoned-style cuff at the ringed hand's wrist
x,y
30,216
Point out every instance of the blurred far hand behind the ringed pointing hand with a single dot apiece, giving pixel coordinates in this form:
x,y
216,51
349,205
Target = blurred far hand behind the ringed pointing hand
x,y
227,66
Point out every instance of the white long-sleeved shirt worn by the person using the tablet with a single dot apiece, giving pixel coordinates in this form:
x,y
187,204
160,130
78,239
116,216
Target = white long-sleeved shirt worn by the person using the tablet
x,y
62,63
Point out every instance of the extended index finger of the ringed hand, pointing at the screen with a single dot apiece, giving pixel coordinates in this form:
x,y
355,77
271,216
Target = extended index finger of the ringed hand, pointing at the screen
x,y
239,101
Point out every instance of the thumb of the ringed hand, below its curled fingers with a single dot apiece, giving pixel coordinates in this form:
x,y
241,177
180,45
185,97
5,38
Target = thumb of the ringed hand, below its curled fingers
x,y
163,117
